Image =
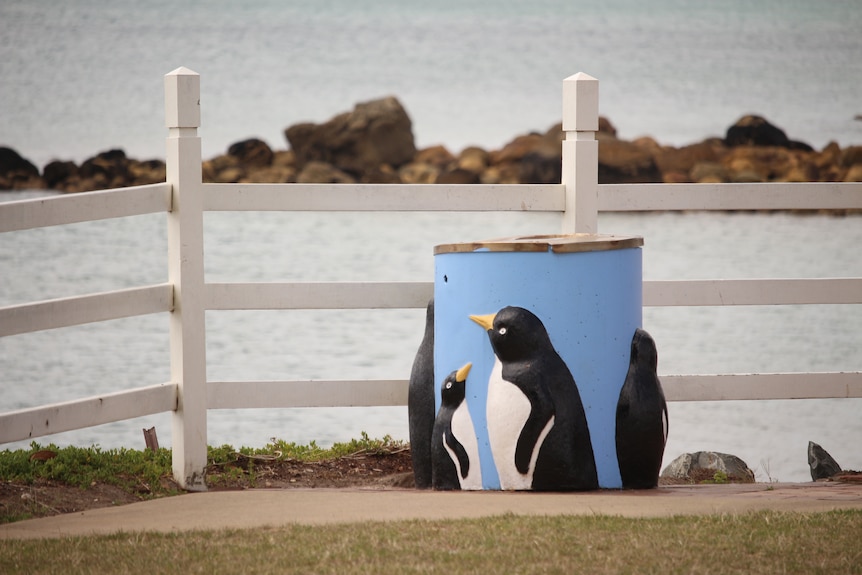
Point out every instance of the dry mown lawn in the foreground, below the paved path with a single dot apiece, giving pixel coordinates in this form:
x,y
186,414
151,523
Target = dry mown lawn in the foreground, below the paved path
x,y
765,542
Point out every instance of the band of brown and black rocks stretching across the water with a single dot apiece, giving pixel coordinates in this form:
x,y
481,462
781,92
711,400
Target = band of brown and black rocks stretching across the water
x,y
374,143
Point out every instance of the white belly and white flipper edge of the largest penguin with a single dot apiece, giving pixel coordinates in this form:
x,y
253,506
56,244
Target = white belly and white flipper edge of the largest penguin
x,y
507,411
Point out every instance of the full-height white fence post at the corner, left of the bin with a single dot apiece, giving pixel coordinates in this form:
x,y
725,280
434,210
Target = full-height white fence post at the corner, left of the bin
x,y
186,274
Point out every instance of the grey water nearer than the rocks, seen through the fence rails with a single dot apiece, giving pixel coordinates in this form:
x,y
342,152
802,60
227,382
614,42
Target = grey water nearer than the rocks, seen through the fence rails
x,y
78,362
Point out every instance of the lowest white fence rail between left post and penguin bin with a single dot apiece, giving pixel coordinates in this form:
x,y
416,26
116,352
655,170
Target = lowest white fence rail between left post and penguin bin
x,y
345,393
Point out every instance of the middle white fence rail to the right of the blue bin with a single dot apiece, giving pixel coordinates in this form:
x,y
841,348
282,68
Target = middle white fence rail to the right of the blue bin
x,y
752,292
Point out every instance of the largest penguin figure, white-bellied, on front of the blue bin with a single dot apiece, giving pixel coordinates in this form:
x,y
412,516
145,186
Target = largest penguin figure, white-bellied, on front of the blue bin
x,y
537,427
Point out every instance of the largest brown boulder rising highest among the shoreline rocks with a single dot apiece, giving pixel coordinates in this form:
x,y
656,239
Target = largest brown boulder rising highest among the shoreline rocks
x,y
375,133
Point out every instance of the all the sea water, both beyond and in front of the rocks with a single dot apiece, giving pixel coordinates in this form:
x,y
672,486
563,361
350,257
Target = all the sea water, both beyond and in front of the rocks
x,y
79,78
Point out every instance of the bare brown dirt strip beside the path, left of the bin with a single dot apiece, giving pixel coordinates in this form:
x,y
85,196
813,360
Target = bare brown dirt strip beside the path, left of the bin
x,y
46,498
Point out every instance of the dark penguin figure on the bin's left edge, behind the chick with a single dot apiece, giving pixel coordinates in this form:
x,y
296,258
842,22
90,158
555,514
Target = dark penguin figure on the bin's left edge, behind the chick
x,y
420,404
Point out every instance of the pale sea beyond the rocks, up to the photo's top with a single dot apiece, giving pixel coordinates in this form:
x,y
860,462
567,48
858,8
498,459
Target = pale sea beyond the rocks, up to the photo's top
x,y
86,76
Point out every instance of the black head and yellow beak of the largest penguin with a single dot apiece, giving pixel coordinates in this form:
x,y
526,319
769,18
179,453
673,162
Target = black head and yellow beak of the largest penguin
x,y
515,333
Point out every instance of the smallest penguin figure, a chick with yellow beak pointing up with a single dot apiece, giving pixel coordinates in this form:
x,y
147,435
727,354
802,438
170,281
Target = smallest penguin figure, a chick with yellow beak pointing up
x,y
454,448
